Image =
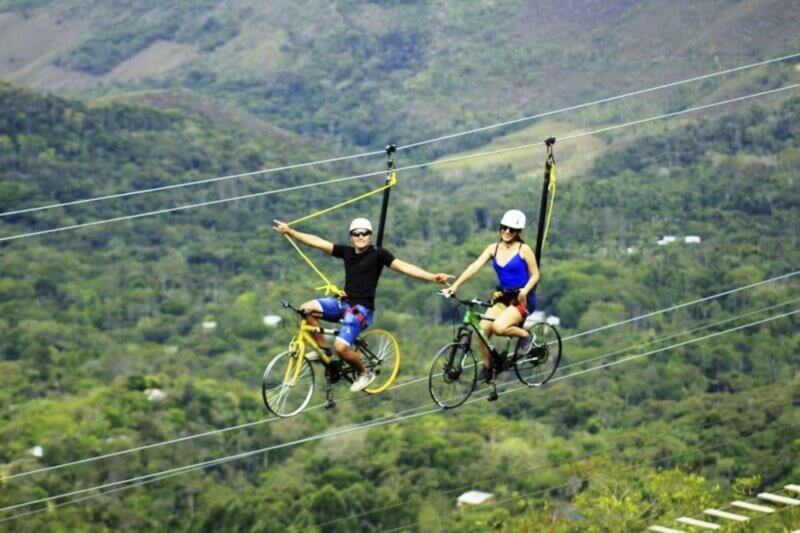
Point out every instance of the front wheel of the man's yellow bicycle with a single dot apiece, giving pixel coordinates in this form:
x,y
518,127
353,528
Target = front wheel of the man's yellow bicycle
x,y
285,388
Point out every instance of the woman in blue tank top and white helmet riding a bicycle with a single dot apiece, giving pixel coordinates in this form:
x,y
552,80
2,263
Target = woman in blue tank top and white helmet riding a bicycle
x,y
517,275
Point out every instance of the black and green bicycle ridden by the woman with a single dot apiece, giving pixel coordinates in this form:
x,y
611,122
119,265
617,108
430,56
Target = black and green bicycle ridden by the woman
x,y
454,369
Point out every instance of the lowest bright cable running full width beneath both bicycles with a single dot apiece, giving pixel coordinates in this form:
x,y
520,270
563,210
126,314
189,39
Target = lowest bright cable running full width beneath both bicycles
x,y
367,425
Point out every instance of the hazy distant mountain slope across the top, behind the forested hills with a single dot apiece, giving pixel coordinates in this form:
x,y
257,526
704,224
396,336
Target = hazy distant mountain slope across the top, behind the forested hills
x,y
369,72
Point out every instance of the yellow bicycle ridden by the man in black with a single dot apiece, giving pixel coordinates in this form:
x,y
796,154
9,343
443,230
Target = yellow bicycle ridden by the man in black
x,y
288,382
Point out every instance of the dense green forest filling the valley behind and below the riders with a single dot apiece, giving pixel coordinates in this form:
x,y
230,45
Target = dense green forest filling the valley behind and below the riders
x,y
93,320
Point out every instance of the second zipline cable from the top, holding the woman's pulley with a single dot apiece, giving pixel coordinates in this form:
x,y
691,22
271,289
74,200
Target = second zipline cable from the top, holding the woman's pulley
x,y
409,167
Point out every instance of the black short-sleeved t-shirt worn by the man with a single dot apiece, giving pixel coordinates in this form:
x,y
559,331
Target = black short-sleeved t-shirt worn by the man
x,y
361,272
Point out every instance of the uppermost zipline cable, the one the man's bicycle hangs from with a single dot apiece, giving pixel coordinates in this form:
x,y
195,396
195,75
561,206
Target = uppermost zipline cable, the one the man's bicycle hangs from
x,y
403,147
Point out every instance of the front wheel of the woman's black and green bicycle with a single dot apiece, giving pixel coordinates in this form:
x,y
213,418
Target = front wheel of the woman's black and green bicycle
x,y
453,374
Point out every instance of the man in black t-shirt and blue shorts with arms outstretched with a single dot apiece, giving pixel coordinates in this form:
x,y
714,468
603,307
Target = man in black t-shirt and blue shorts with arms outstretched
x,y
363,264
